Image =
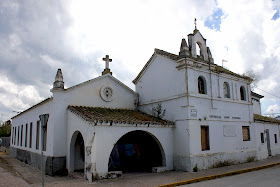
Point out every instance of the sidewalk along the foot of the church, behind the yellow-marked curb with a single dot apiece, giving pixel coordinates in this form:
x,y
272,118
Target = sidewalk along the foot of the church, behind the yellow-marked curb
x,y
32,177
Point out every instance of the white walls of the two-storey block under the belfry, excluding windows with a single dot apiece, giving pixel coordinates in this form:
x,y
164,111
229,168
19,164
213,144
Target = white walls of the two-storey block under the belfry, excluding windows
x,y
169,88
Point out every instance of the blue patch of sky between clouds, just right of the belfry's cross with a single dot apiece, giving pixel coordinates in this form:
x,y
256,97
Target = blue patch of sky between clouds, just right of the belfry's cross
x,y
214,21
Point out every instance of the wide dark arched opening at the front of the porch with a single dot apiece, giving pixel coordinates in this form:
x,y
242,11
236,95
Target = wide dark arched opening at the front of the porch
x,y
136,151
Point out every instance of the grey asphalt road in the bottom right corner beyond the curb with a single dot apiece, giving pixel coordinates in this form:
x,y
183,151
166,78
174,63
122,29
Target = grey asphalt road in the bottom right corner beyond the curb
x,y
266,177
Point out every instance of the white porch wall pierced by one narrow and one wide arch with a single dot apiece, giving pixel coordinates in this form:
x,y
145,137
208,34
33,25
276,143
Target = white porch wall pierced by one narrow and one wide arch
x,y
102,137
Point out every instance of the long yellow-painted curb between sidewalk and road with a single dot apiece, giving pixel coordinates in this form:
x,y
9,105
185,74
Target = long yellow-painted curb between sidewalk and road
x,y
210,177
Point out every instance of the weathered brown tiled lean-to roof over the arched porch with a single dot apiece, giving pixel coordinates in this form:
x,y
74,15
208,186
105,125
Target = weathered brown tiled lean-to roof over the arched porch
x,y
125,116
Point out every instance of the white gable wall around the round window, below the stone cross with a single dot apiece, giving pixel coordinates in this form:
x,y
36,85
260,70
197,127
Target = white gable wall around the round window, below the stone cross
x,y
88,94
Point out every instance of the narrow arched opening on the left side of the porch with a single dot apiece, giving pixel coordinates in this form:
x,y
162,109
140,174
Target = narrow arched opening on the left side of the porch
x,y
77,150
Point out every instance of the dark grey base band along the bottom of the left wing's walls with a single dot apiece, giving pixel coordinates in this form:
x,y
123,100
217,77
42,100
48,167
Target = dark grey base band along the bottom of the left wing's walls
x,y
53,165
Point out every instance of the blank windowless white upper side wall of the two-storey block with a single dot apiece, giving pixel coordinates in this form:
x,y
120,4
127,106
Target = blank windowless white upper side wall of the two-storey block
x,y
160,81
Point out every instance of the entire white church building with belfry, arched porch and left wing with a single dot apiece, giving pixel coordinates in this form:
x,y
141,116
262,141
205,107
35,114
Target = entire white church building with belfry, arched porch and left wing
x,y
206,115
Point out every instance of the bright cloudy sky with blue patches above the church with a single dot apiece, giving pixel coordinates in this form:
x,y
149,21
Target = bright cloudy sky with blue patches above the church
x,y
37,37
